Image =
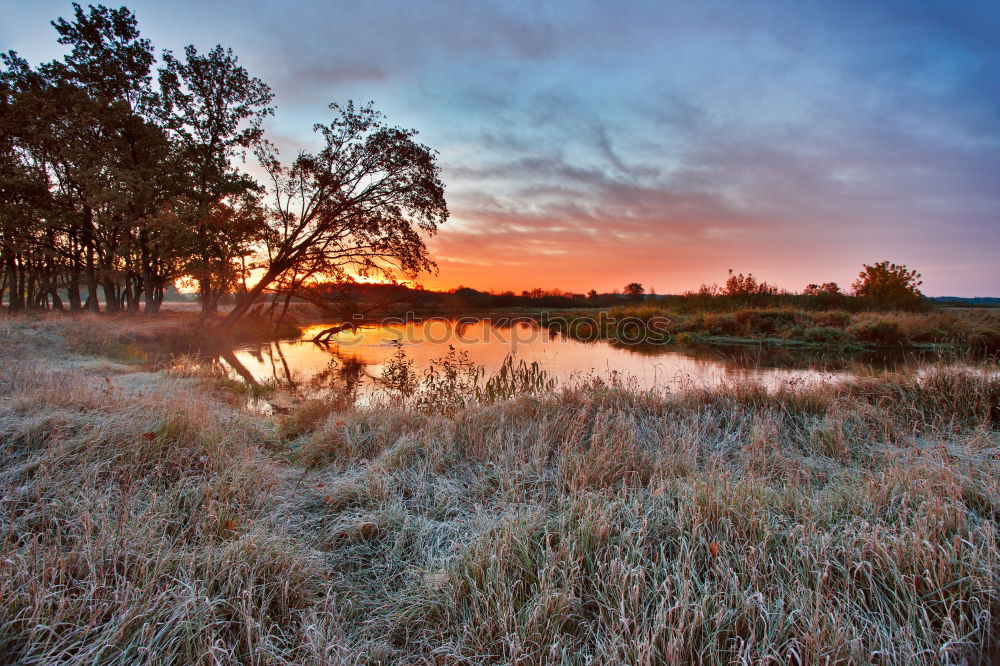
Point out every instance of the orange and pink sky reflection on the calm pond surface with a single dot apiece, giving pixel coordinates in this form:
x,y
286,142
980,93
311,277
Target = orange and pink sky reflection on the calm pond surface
x,y
367,349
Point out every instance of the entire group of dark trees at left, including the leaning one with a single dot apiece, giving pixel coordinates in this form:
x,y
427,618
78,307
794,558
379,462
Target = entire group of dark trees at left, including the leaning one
x,y
121,173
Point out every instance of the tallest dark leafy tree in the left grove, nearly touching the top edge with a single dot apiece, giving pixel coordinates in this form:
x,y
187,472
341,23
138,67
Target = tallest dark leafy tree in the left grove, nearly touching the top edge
x,y
116,157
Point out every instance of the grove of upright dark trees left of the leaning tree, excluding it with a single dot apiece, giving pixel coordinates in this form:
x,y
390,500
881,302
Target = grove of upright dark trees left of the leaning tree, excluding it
x,y
108,184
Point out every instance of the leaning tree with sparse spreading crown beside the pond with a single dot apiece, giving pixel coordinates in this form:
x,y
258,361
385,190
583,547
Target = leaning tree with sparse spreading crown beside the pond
x,y
360,206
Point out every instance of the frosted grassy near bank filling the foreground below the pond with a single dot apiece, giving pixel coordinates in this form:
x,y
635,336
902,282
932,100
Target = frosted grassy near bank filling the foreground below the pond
x,y
147,512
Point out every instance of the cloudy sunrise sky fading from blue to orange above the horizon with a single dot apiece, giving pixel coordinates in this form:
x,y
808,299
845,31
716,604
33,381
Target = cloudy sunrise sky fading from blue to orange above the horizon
x,y
590,144
